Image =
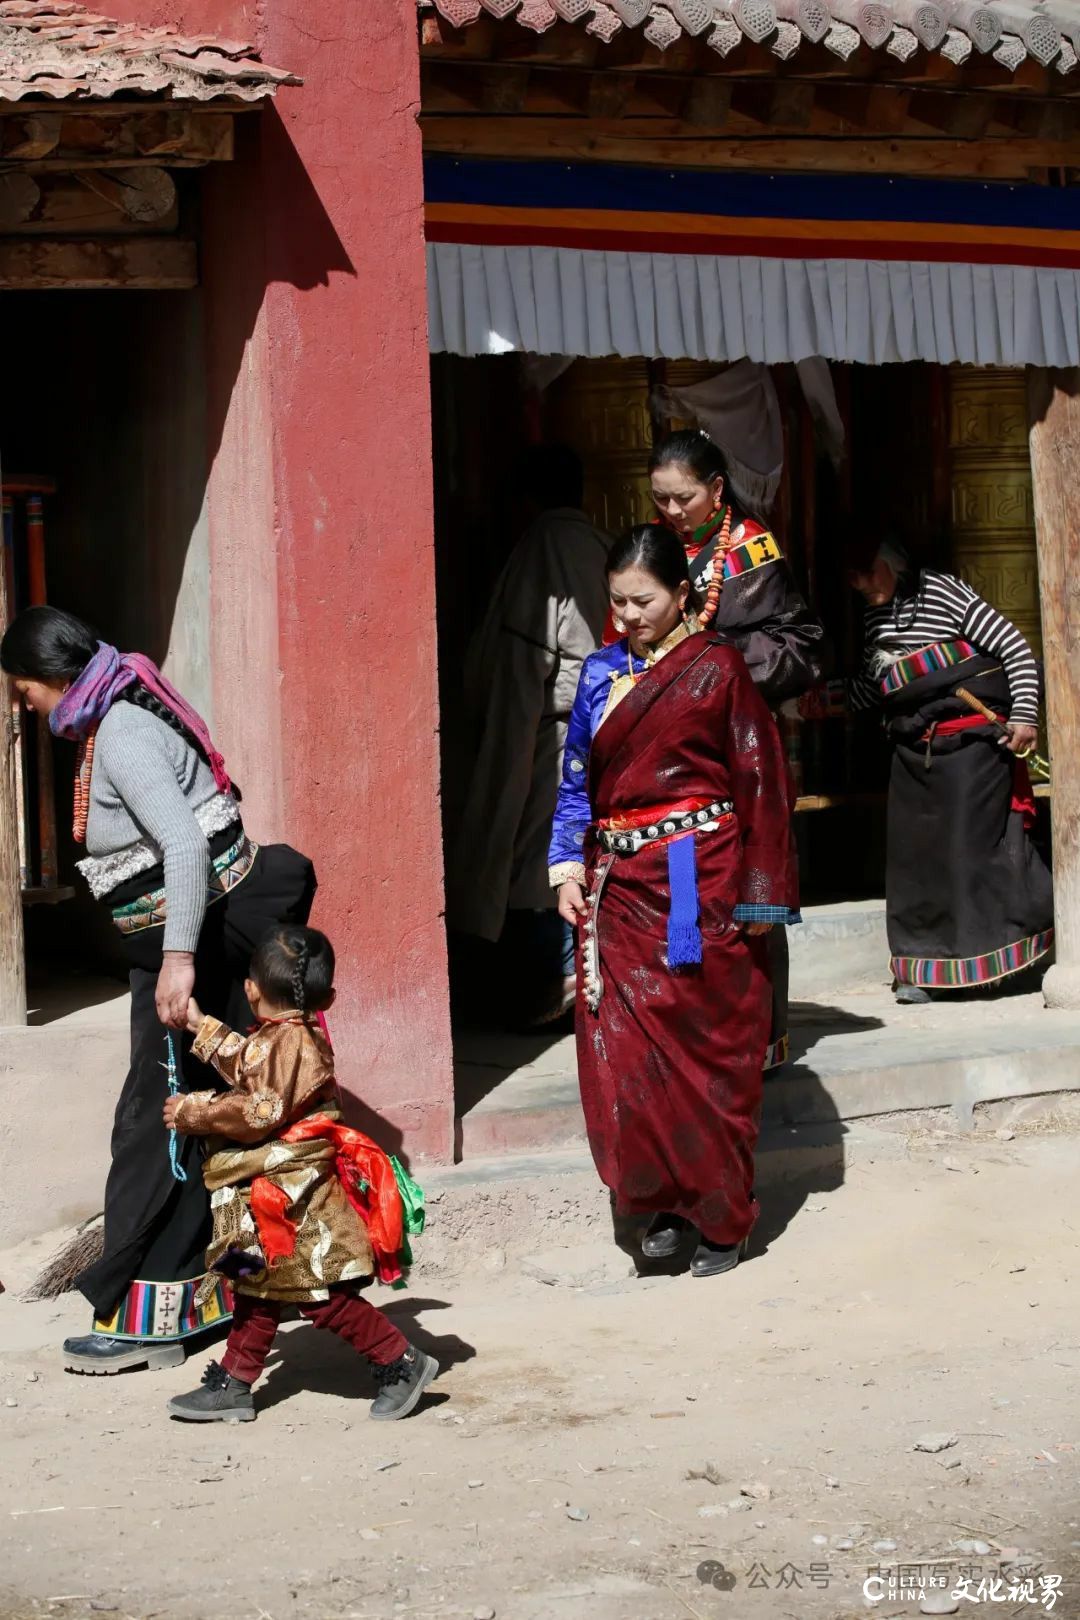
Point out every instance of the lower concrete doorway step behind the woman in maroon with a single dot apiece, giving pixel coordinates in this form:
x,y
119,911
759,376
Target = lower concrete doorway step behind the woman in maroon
x,y
857,1057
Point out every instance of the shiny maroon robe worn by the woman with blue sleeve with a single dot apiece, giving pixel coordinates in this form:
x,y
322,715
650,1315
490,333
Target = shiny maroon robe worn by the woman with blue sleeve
x,y
671,1062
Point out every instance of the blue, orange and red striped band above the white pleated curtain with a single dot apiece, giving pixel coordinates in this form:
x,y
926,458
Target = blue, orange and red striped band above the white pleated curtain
x,y
610,207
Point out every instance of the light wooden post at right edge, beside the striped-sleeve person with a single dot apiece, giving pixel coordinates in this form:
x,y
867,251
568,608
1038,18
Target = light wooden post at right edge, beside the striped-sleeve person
x,y
1055,438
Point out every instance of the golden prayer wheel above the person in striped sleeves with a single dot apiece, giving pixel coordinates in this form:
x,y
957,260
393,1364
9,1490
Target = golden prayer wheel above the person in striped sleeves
x,y
993,519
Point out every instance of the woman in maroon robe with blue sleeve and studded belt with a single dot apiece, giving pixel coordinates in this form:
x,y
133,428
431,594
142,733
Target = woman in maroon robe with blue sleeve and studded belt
x,y
673,850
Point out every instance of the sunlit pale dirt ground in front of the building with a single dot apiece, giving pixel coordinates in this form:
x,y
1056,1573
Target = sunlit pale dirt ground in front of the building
x,y
606,1446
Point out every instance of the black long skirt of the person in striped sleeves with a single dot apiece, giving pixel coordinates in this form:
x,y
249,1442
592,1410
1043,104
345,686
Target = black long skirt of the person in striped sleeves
x,y
969,898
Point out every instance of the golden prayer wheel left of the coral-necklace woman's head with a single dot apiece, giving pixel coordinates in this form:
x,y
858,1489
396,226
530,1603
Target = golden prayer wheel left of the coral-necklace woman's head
x,y
602,409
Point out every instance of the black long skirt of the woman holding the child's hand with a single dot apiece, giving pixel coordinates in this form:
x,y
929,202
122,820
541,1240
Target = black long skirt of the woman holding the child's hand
x,y
156,1226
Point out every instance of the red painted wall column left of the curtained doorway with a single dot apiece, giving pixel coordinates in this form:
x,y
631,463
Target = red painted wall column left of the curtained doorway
x,y
321,522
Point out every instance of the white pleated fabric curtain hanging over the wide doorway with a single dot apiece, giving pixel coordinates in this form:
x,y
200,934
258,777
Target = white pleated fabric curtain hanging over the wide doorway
x,y
574,302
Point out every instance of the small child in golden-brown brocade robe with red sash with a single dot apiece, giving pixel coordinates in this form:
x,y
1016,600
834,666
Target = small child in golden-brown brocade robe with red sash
x,y
305,1211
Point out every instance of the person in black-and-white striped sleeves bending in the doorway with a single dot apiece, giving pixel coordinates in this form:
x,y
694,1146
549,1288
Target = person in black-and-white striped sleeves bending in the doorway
x,y
969,897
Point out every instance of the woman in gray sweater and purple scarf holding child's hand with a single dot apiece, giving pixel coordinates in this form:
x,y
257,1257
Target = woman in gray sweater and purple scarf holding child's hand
x,y
192,898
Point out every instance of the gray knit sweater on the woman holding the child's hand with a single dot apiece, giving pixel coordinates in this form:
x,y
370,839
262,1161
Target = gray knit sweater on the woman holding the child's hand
x,y
153,799
